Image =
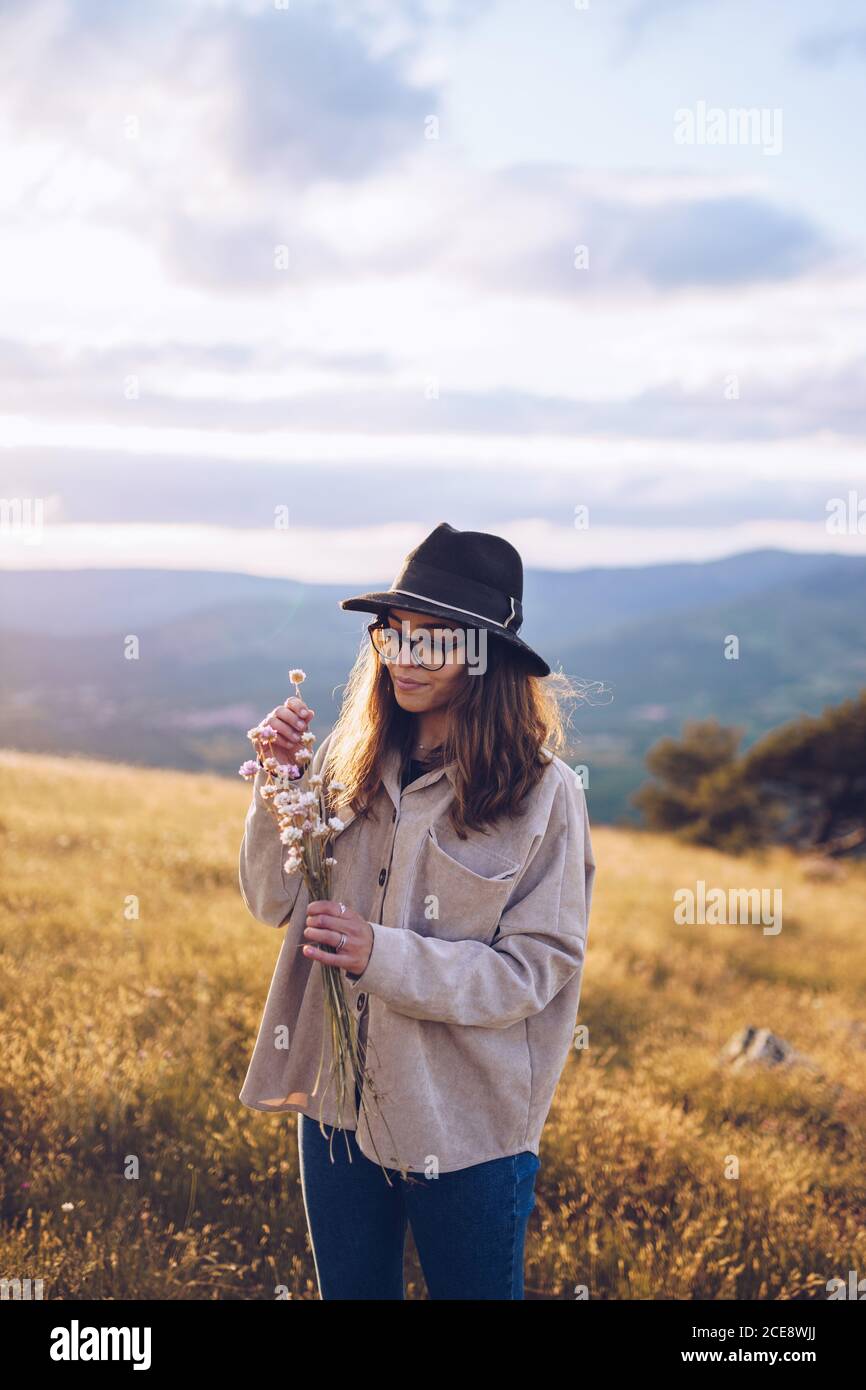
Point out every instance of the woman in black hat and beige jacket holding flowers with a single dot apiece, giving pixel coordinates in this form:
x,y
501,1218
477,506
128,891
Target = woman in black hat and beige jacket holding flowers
x,y
461,910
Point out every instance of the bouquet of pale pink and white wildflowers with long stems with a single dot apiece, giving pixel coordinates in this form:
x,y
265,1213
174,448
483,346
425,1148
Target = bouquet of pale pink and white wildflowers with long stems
x,y
301,806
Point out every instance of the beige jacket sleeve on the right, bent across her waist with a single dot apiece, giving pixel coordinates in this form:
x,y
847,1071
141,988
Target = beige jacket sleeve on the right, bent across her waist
x,y
540,947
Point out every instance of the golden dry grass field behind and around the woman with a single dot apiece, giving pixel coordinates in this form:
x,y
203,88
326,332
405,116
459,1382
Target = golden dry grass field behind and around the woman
x,y
665,1174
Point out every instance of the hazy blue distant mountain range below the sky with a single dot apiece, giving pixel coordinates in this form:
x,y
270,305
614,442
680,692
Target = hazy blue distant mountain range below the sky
x,y
215,651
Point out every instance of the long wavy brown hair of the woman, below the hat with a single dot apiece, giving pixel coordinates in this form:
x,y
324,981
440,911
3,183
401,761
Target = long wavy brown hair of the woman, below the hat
x,y
500,722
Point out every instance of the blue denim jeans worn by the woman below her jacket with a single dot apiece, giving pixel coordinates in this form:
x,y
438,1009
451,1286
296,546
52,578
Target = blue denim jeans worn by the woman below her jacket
x,y
469,1227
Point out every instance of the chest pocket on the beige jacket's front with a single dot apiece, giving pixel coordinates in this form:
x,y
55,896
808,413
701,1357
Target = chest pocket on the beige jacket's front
x,y
454,903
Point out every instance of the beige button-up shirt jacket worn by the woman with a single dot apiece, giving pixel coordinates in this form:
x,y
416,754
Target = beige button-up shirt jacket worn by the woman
x,y
469,1001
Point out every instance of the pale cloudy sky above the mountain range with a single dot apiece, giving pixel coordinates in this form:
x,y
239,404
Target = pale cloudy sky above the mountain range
x,y
284,286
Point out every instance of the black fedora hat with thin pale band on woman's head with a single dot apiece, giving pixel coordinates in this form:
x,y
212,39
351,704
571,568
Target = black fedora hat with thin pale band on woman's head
x,y
471,578
